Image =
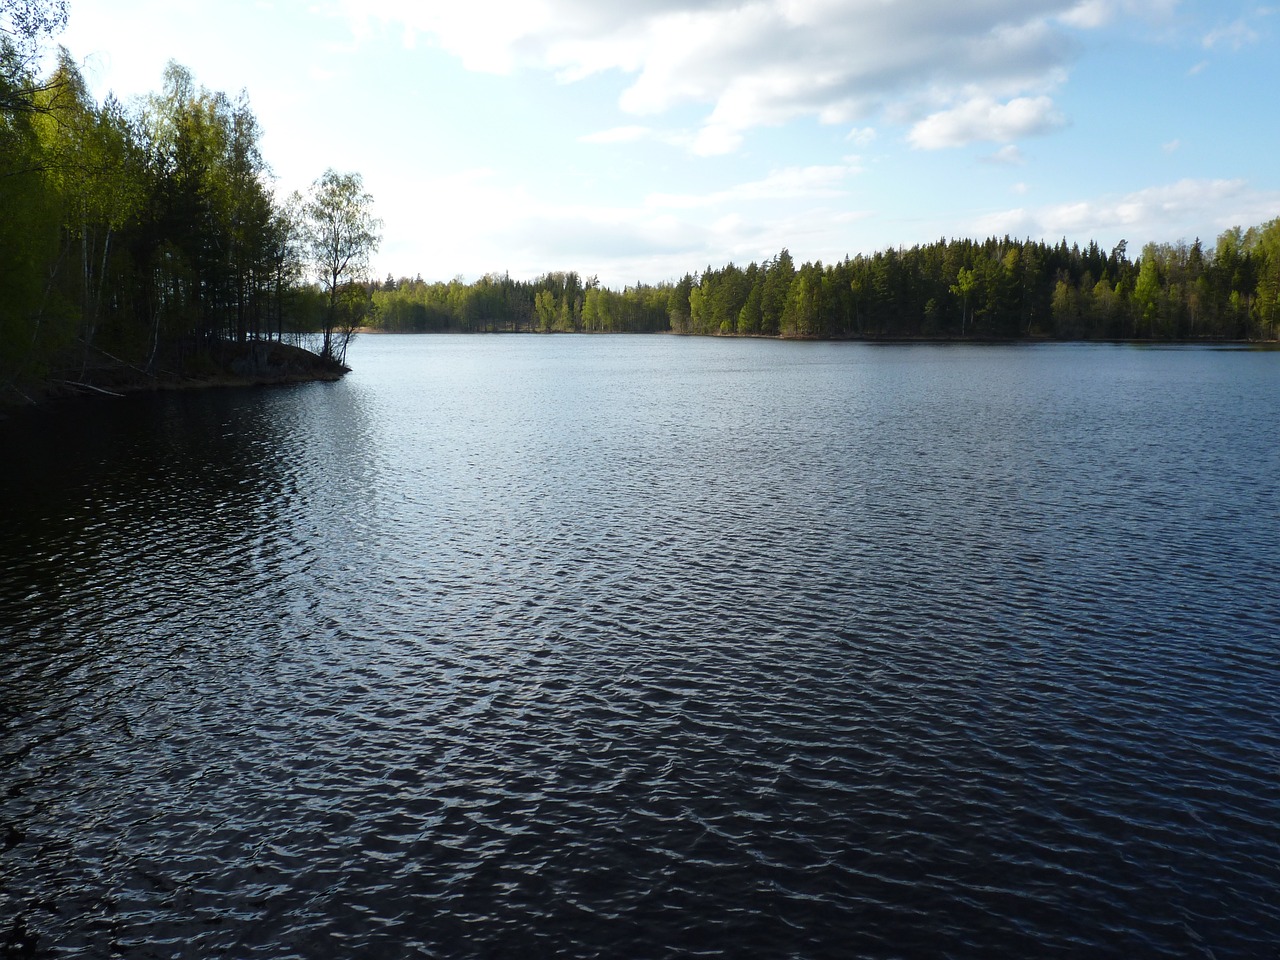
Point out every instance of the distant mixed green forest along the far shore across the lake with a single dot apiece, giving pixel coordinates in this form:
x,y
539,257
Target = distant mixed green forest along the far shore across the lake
x,y
1000,289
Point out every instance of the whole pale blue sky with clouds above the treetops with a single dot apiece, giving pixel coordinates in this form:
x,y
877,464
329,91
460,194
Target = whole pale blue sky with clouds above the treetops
x,y
641,141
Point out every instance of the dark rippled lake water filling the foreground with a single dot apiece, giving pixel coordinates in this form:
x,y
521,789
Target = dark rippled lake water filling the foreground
x,y
651,647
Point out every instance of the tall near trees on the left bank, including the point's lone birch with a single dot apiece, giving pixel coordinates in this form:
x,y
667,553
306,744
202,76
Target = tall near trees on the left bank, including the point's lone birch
x,y
141,235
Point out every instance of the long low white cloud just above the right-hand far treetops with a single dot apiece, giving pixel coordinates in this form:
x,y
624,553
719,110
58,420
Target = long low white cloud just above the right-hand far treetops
x,y
1177,211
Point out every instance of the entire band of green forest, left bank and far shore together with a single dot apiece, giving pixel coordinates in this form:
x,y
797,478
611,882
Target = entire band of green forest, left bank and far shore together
x,y
141,235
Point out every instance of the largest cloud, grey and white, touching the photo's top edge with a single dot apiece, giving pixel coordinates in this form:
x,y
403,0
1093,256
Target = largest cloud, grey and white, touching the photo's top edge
x,y
982,70
